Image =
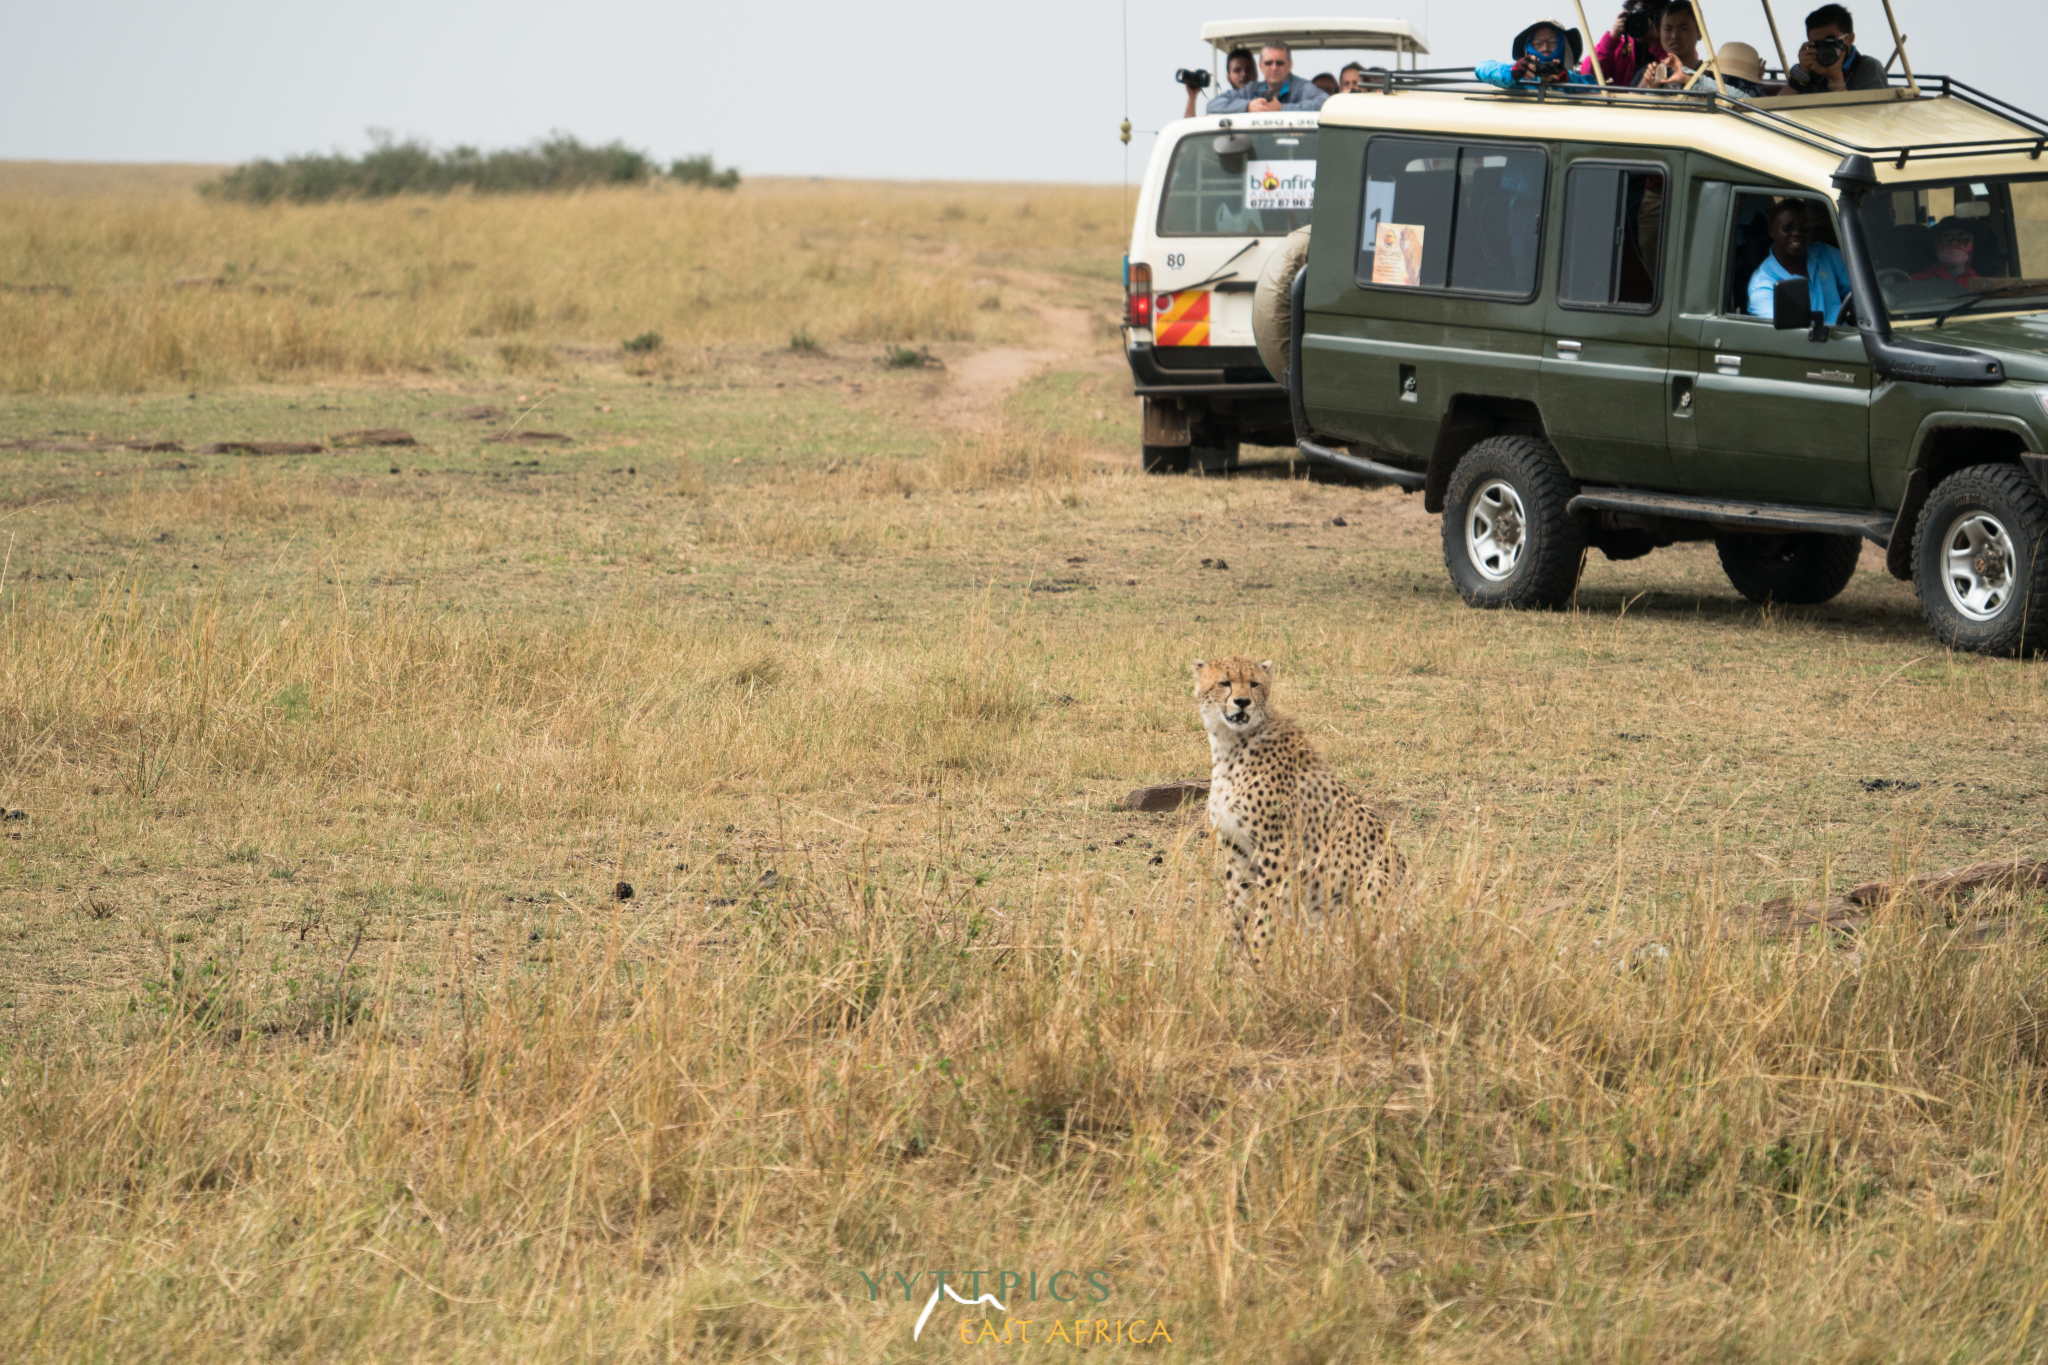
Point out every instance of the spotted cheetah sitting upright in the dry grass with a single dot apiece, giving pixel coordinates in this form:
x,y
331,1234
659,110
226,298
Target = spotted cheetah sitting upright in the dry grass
x,y
1297,836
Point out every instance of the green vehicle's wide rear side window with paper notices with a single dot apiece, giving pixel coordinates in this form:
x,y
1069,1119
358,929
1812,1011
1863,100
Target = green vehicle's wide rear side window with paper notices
x,y
1453,216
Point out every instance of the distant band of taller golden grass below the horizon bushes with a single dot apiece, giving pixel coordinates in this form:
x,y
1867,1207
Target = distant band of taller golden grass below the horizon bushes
x,y
134,292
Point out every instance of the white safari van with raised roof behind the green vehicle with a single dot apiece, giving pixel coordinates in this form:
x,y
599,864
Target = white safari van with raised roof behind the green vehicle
x,y
1222,193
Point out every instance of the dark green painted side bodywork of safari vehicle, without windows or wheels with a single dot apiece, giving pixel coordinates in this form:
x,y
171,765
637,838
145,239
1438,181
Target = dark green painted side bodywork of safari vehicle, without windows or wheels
x,y
1687,398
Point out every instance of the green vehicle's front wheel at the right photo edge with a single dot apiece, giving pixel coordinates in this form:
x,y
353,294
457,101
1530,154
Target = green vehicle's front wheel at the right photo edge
x,y
1951,576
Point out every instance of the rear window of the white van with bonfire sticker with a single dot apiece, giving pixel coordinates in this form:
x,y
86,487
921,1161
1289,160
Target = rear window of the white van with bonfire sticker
x,y
1265,191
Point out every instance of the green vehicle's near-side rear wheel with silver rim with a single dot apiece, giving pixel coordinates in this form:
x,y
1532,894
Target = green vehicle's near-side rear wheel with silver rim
x,y
1519,490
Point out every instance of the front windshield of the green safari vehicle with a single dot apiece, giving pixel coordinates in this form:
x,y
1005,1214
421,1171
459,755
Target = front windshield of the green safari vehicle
x,y
1961,243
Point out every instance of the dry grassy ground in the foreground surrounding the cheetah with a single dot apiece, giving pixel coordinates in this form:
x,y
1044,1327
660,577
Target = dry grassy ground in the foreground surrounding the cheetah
x,y
327,1037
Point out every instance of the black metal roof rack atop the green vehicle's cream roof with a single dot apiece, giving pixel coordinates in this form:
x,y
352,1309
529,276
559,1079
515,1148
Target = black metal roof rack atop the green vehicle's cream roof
x,y
1824,122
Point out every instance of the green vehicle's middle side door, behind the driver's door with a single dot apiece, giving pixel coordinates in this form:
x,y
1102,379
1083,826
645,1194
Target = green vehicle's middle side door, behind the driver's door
x,y
1607,335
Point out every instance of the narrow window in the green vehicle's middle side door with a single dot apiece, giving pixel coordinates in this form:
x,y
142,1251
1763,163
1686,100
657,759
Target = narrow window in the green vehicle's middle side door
x,y
1613,247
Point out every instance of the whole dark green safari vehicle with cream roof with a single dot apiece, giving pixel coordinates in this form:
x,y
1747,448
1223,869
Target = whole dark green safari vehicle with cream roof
x,y
1549,312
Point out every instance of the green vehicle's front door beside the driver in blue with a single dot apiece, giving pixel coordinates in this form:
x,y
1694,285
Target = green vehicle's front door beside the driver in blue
x,y
1775,416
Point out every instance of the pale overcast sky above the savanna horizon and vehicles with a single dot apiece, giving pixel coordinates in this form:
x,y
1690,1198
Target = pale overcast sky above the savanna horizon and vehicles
x,y
892,89
